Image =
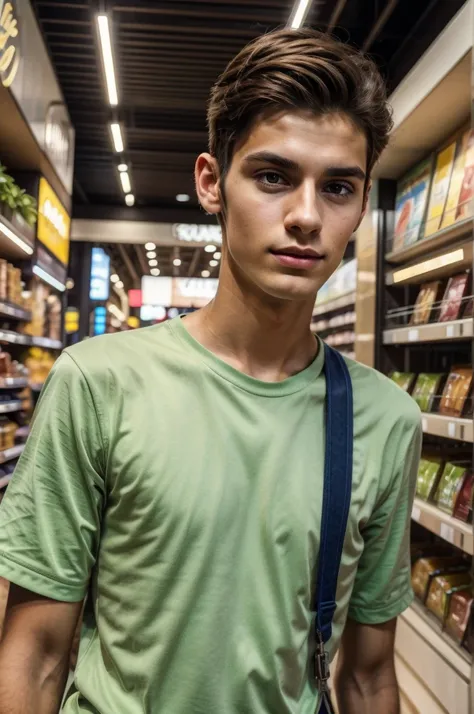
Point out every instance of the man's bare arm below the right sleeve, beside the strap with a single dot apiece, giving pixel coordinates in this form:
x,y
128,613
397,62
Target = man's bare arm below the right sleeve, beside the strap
x,y
365,680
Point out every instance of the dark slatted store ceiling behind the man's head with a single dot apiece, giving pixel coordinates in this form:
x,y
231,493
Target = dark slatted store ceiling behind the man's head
x,y
168,54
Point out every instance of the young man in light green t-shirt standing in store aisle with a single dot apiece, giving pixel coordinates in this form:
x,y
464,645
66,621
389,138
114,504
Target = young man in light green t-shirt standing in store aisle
x,y
176,473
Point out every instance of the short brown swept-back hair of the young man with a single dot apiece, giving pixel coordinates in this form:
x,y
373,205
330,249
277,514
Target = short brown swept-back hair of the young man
x,y
297,69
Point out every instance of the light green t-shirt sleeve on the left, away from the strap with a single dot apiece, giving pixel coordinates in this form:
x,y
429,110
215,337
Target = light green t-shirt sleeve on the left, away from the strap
x,y
50,516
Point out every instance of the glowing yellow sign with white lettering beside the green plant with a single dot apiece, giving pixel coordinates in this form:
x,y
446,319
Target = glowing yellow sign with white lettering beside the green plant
x,y
54,223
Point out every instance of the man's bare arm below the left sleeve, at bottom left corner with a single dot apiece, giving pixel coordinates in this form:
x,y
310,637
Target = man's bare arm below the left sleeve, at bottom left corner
x,y
34,652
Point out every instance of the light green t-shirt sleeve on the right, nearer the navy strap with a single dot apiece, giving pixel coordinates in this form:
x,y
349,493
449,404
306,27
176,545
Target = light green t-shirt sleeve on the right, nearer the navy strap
x,y
382,588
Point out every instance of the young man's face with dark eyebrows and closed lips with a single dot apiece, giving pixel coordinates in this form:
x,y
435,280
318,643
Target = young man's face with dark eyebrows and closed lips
x,y
294,194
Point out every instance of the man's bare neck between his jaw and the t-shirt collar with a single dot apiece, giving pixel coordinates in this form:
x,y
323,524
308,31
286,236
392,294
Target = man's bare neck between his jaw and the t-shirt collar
x,y
268,340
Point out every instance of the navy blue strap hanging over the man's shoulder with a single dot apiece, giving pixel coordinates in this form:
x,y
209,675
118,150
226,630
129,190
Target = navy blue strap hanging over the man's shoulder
x,y
336,499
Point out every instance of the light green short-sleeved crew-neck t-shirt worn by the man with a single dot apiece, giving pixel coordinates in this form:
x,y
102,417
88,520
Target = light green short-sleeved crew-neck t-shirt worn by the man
x,y
187,497
